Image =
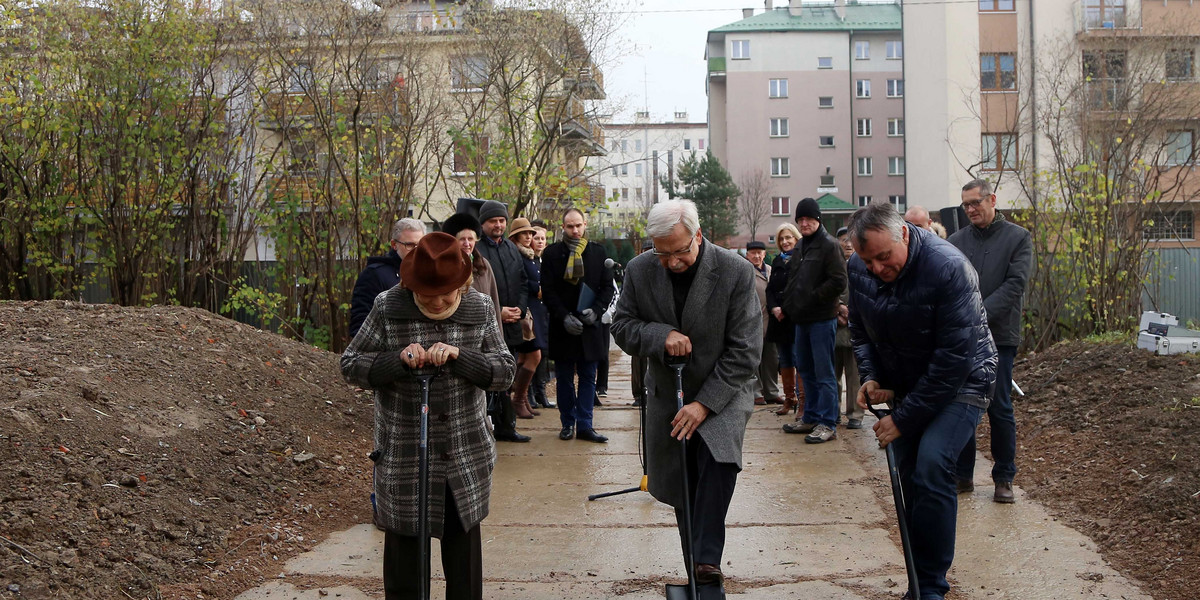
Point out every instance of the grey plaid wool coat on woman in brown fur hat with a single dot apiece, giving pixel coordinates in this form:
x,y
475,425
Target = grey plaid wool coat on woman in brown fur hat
x,y
461,449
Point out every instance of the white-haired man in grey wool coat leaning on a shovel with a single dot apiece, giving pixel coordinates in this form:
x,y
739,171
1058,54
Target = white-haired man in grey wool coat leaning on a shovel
x,y
692,298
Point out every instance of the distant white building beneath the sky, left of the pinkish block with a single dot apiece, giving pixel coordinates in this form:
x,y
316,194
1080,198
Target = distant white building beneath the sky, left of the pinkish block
x,y
639,157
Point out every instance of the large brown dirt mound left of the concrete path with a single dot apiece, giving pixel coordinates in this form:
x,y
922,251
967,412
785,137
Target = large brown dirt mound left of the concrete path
x,y
167,453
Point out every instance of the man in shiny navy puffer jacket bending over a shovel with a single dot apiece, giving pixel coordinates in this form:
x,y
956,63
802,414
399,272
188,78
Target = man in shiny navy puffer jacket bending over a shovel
x,y
921,337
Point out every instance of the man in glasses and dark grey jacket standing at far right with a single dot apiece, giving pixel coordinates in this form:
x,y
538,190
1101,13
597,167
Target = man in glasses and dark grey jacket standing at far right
x,y
1003,255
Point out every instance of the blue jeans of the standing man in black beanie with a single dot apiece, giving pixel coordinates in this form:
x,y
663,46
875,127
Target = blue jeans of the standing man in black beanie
x,y
814,364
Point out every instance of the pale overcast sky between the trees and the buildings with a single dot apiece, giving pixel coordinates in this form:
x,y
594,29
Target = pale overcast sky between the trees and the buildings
x,y
661,62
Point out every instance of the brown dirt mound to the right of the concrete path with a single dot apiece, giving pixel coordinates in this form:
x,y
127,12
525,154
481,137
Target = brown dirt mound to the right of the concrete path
x,y
1109,439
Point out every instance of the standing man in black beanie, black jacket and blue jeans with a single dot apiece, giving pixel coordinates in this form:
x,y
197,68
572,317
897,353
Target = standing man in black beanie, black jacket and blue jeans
x,y
817,277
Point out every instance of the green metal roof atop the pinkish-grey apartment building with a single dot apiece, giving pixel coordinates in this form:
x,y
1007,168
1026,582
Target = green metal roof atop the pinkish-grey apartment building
x,y
860,17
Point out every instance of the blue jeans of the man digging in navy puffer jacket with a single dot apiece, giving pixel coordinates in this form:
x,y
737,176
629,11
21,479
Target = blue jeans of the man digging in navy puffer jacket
x,y
927,465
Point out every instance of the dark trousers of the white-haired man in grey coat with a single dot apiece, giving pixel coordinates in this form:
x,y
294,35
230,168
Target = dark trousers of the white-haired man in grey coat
x,y
712,489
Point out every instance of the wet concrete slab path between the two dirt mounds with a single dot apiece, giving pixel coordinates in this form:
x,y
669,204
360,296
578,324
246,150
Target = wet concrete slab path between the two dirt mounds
x,y
807,521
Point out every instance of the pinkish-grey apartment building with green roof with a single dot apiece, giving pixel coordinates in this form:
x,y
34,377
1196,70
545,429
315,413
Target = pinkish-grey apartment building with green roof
x,y
813,98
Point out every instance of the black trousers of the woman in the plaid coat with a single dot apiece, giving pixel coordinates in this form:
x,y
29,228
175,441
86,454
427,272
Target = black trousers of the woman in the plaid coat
x,y
463,561
